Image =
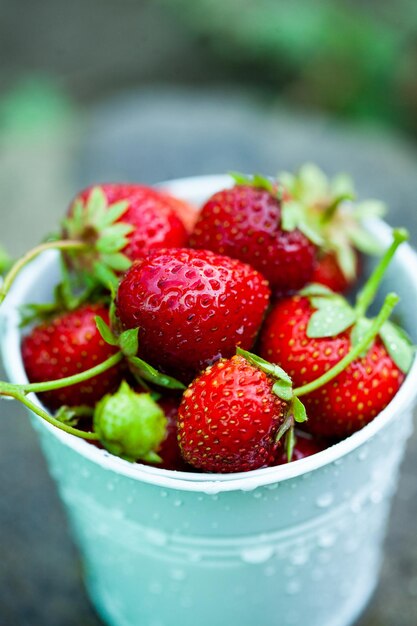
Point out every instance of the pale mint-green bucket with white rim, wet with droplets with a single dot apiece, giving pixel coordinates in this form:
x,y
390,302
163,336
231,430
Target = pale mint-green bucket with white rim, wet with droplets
x,y
296,544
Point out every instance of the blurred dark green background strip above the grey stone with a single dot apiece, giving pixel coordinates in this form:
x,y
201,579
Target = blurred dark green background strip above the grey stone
x,y
351,58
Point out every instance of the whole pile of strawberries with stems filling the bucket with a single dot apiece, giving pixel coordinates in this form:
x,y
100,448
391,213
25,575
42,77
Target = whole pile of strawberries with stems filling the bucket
x,y
216,339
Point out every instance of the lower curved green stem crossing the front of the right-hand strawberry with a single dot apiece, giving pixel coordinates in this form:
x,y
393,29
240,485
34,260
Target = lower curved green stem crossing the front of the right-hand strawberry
x,y
386,310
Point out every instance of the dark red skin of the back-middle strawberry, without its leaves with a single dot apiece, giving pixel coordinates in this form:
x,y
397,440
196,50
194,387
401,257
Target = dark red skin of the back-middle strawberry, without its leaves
x,y
245,223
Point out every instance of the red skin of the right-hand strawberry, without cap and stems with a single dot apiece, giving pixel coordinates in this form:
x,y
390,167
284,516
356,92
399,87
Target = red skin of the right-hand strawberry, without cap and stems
x,y
350,400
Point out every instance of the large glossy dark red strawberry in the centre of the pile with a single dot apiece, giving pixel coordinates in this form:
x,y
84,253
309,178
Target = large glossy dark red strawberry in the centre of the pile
x,y
192,307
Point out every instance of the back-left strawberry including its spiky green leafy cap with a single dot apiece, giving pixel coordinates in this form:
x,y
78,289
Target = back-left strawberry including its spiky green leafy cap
x,y
120,223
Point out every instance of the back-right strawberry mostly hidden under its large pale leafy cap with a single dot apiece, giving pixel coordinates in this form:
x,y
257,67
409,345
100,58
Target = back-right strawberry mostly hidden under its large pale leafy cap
x,y
329,209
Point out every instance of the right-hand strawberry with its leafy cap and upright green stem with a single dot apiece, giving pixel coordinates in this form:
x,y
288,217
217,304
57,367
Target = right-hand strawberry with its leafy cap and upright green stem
x,y
310,334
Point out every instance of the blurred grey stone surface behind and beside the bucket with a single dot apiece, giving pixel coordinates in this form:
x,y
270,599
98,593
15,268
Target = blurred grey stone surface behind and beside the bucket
x,y
152,136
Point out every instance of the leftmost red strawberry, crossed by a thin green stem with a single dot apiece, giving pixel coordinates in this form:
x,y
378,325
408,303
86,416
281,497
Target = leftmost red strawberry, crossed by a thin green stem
x,y
68,345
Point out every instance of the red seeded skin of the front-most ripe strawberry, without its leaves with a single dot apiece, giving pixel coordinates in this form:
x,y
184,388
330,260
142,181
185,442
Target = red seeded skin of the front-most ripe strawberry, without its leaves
x,y
228,418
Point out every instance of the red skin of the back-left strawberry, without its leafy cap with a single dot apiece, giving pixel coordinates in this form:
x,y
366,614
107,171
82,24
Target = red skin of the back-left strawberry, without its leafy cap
x,y
154,215
